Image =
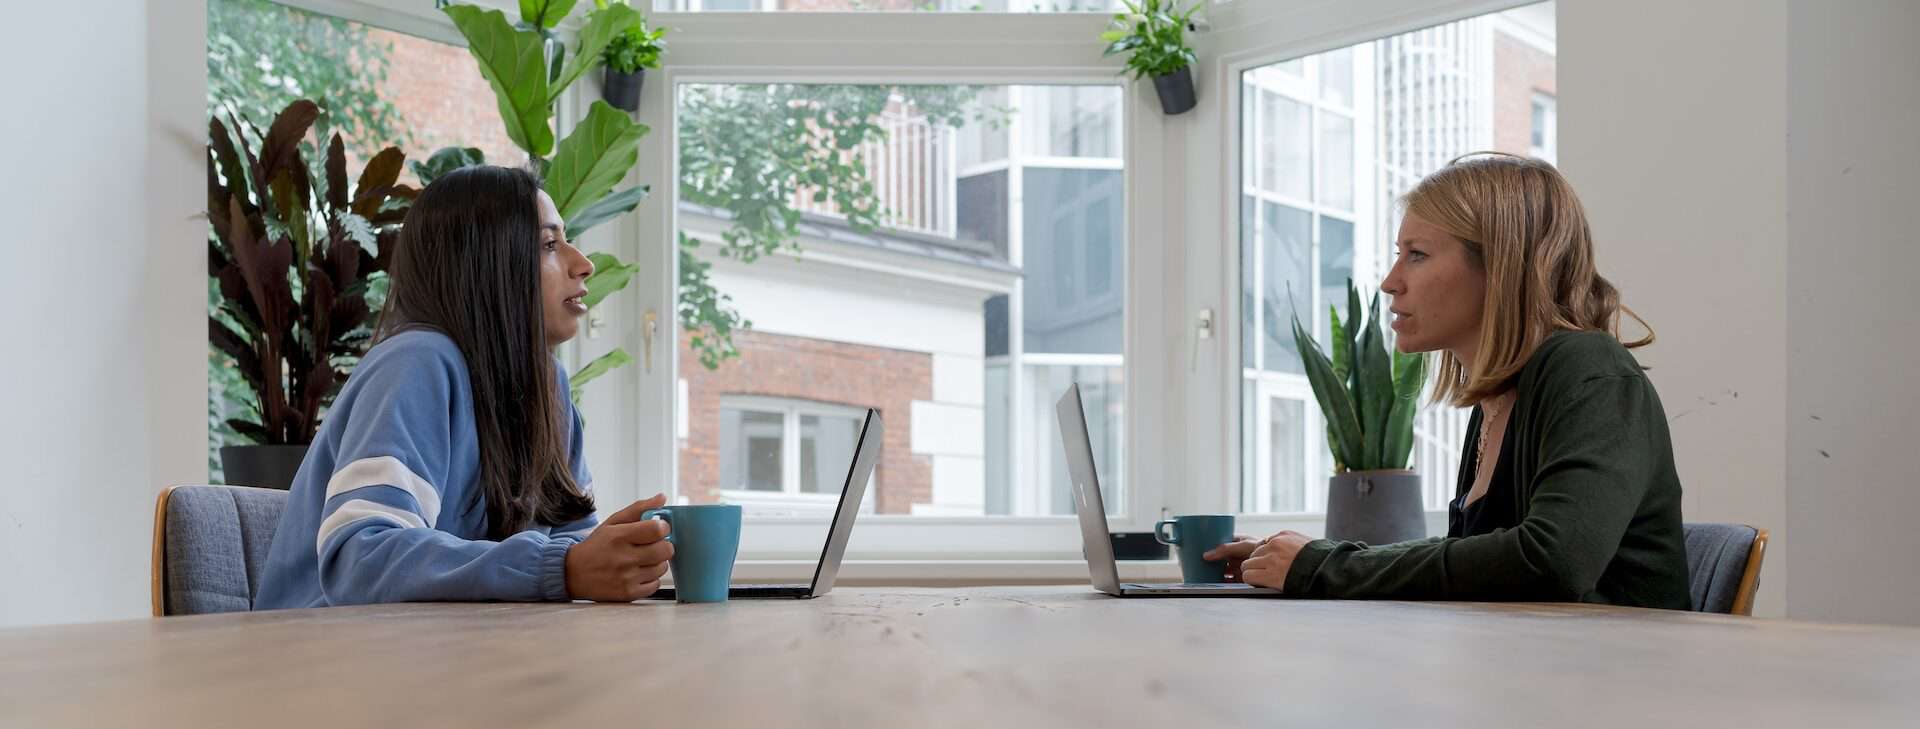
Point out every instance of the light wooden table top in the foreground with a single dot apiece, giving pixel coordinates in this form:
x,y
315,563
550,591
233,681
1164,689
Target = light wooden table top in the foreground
x,y
1005,657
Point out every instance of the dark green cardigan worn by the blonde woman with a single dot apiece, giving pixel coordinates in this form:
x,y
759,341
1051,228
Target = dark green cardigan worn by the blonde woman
x,y
1598,502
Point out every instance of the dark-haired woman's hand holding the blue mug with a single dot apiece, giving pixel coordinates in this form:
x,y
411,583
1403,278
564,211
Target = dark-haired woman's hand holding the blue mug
x,y
623,559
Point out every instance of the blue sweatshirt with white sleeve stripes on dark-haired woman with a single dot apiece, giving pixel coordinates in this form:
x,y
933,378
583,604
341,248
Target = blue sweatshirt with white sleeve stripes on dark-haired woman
x,y
389,504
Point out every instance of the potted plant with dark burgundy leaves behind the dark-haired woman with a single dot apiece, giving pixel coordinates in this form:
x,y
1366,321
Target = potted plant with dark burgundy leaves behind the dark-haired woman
x,y
293,260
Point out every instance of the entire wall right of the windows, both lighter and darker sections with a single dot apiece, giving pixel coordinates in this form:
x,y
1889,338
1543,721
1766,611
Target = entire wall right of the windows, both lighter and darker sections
x,y
1748,168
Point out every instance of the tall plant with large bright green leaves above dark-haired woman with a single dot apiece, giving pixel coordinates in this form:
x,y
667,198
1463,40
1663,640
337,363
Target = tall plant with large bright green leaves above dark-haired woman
x,y
529,68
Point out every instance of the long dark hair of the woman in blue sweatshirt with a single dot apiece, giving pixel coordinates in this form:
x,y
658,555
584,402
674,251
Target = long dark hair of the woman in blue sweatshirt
x,y
468,266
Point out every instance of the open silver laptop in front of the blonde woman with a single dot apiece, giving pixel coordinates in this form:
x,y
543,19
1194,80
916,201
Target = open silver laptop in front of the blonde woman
x,y
1095,540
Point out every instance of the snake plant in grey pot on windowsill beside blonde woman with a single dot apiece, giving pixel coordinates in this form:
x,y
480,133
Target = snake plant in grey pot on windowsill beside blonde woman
x,y
1370,398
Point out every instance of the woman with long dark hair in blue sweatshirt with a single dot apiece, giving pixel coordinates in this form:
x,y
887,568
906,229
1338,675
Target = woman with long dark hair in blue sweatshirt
x,y
450,467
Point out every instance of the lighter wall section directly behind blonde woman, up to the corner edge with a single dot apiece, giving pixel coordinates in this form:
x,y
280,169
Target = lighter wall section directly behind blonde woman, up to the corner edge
x,y
1673,129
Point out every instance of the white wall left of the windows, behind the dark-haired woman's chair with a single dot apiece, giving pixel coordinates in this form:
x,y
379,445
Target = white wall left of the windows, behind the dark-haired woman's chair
x,y
103,287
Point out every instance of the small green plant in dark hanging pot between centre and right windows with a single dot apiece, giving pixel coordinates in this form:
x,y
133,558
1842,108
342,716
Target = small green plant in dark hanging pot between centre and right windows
x,y
1155,34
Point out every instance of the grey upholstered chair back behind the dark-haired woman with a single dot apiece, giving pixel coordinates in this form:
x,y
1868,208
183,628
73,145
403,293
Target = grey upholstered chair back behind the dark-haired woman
x,y
210,548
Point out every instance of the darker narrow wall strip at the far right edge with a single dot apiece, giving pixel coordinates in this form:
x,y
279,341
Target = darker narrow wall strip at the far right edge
x,y
1854,154
